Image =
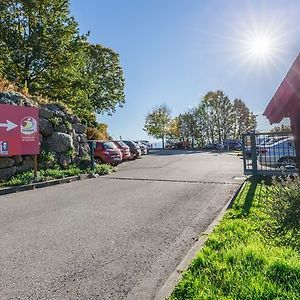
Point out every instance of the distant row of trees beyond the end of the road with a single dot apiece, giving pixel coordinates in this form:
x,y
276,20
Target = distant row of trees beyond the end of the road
x,y
215,119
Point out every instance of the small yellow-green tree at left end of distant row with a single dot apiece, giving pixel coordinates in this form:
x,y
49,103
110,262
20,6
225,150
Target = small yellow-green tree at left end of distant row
x,y
157,122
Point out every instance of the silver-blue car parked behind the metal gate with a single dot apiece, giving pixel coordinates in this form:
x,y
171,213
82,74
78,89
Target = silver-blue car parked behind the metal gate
x,y
278,154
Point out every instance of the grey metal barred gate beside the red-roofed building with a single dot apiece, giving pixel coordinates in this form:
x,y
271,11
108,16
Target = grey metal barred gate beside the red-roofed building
x,y
272,153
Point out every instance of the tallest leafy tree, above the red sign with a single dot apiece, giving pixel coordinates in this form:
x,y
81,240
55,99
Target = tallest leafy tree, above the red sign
x,y
39,44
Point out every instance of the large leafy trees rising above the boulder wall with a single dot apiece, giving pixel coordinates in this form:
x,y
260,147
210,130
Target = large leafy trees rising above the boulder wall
x,y
43,52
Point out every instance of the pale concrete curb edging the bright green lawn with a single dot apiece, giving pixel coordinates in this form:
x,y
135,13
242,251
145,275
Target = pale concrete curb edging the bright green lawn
x,y
165,291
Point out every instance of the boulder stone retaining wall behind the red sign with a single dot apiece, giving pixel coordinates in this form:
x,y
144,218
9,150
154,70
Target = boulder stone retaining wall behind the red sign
x,y
63,138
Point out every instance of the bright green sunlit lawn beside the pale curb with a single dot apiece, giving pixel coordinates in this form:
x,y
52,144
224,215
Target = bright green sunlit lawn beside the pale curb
x,y
240,260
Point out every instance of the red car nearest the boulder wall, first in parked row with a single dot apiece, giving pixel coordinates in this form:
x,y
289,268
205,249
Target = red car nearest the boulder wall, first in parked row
x,y
108,152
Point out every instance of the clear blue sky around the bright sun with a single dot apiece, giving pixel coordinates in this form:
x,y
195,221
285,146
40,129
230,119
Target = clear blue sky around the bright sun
x,y
174,51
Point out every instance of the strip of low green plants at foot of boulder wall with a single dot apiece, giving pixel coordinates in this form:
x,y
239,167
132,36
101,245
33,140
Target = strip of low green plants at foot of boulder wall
x,y
51,174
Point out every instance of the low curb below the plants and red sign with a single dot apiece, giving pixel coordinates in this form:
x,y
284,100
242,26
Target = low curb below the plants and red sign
x,y
38,185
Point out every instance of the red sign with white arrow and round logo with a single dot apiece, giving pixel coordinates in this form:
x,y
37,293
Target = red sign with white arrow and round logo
x,y
19,134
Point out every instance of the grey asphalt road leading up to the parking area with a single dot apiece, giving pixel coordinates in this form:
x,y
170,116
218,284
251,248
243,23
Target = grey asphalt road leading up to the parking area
x,y
114,237
